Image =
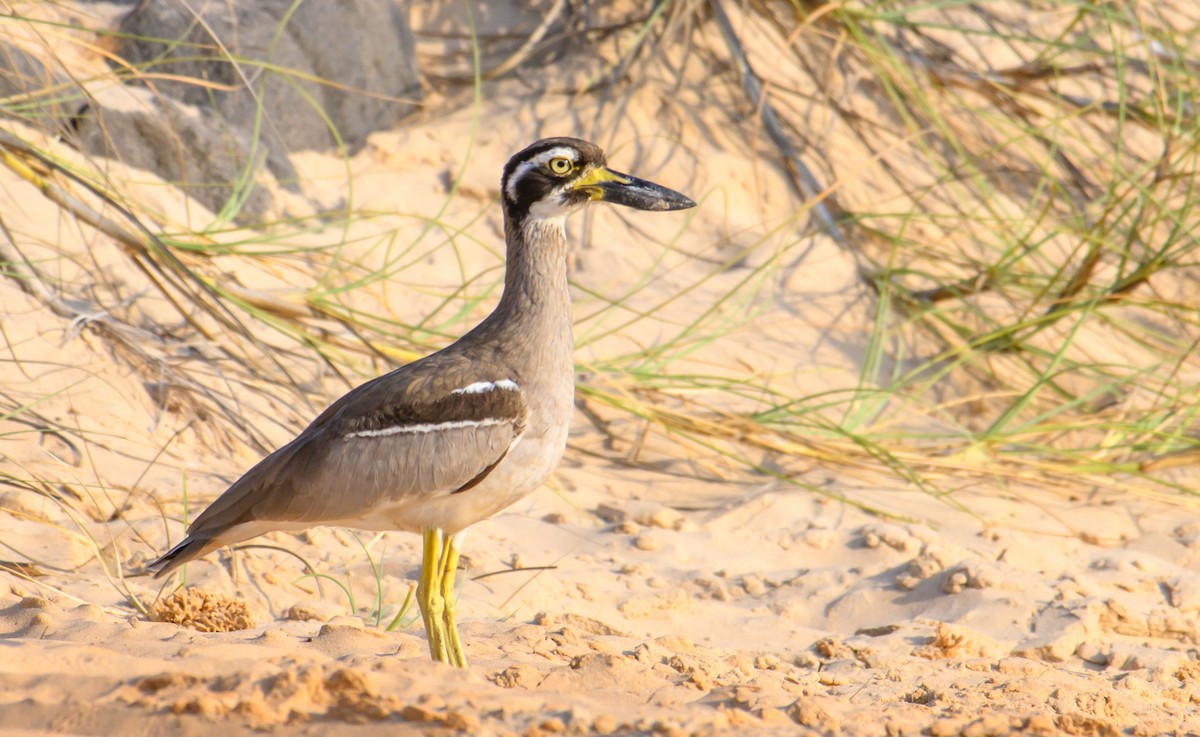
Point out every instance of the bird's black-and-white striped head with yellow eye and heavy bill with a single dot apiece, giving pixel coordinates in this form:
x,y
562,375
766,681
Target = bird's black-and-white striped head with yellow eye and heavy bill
x,y
556,177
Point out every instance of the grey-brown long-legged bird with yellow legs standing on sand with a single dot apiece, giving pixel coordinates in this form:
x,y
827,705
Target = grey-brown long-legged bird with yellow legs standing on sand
x,y
449,440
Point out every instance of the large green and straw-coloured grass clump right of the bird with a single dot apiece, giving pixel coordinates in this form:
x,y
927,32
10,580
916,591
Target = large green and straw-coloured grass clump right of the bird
x,y
1028,232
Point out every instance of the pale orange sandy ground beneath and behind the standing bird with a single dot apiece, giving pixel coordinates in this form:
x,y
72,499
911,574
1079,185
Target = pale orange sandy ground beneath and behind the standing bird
x,y
625,598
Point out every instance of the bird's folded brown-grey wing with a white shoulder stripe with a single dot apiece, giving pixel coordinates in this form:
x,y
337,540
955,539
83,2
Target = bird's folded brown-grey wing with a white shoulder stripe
x,y
425,430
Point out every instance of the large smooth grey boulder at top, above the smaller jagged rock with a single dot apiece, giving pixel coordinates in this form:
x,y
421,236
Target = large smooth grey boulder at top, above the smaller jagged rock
x,y
355,61
